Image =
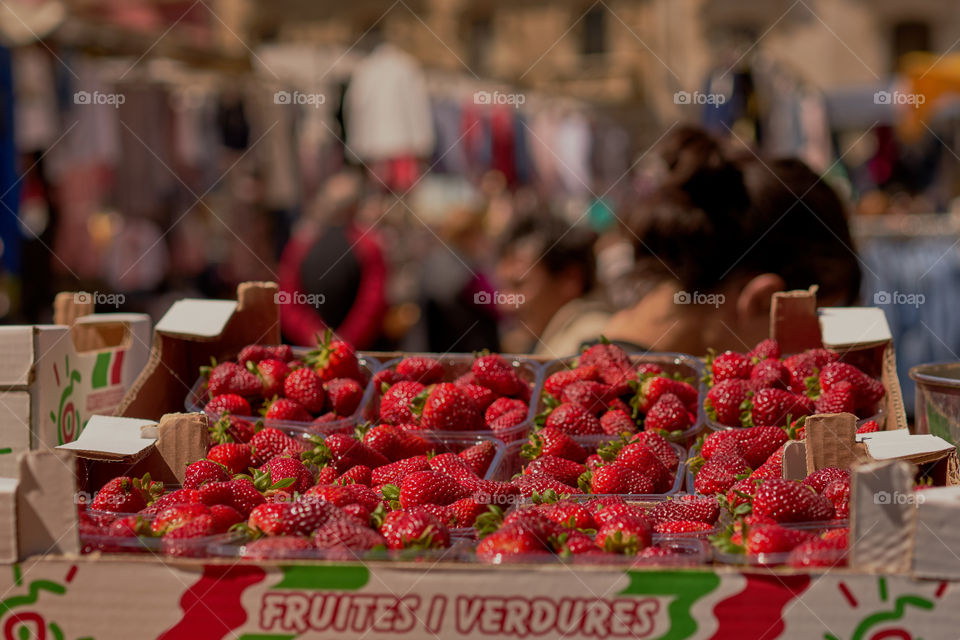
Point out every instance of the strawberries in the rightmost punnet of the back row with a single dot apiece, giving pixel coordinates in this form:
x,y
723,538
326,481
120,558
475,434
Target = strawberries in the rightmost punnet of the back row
x,y
763,388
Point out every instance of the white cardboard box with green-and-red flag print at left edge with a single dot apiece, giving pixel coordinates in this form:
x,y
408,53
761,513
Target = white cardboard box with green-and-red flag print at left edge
x,y
54,377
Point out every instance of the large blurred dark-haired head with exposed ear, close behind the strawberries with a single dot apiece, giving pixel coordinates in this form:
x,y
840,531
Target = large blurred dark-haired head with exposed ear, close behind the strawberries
x,y
714,240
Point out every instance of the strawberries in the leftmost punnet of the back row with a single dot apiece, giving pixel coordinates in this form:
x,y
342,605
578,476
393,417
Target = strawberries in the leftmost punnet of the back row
x,y
326,385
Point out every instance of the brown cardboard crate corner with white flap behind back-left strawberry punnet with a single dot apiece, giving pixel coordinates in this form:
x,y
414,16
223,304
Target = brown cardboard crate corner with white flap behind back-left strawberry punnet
x,y
189,335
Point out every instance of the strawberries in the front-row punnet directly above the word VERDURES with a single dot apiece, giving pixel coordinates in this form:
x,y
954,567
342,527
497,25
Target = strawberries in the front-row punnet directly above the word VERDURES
x,y
593,528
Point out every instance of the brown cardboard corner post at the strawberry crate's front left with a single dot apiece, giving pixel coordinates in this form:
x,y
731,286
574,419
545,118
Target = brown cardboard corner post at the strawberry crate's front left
x,y
46,504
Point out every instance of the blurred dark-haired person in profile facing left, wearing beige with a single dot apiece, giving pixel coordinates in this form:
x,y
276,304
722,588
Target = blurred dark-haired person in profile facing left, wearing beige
x,y
547,270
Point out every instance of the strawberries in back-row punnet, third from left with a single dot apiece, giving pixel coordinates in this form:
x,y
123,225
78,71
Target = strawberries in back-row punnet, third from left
x,y
606,393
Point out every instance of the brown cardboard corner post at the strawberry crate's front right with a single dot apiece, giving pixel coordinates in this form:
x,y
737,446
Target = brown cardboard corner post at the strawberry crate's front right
x,y
882,516
